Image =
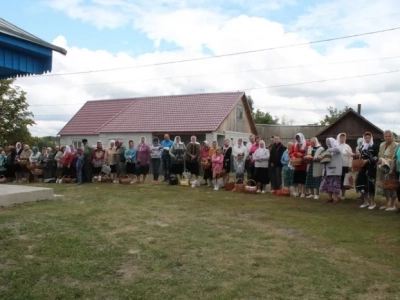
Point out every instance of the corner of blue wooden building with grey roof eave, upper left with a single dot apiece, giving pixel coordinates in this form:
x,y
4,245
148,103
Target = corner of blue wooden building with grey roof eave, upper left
x,y
23,54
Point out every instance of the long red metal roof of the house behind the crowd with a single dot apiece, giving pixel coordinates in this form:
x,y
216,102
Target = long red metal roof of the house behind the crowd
x,y
182,113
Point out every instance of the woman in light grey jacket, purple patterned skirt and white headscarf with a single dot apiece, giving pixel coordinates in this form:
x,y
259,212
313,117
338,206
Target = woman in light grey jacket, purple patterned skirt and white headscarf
x,y
331,182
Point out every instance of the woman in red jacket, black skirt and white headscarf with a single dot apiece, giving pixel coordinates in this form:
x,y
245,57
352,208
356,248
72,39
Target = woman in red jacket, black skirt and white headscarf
x,y
300,172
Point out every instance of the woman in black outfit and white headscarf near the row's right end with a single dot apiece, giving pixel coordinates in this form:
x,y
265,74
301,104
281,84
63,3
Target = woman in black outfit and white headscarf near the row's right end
x,y
366,179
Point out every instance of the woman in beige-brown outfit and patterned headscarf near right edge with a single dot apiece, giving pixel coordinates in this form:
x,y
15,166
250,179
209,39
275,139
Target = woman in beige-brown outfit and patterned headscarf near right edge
x,y
386,155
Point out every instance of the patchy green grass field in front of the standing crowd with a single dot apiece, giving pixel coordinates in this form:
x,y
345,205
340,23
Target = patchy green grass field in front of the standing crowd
x,y
163,242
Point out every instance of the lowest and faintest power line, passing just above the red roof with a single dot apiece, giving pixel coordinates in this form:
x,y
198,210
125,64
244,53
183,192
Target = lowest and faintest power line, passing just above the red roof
x,y
267,87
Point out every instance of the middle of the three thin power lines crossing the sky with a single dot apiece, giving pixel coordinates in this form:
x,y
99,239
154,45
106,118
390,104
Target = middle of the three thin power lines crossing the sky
x,y
224,73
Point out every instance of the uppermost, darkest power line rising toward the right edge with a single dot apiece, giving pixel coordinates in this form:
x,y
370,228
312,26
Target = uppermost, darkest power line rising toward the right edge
x,y
224,55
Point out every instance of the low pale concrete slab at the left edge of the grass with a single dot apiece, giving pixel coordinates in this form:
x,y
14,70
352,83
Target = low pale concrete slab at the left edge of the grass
x,y
16,194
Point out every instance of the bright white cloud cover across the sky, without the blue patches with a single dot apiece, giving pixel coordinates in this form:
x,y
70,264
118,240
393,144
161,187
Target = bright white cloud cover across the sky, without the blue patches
x,y
191,28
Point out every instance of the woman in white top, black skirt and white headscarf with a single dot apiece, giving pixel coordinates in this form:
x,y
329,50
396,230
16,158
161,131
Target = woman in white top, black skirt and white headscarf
x,y
261,175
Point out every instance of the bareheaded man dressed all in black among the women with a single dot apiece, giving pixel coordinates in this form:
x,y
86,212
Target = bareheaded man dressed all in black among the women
x,y
275,165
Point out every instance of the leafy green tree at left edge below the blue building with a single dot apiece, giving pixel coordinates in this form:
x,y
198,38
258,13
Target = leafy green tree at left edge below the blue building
x,y
14,114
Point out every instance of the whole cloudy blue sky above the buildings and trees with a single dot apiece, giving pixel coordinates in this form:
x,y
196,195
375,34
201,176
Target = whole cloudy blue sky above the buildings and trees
x,y
118,49
